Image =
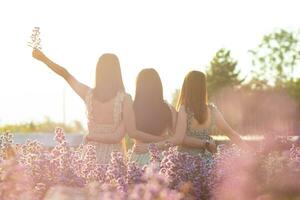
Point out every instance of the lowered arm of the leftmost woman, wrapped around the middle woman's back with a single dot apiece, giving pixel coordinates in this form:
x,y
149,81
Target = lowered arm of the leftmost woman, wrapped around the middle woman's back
x,y
130,125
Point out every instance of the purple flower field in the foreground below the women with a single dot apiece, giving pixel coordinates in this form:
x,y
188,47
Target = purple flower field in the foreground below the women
x,y
34,171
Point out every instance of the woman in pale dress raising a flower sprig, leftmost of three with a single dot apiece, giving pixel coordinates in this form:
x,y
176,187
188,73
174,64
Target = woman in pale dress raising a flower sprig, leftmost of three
x,y
109,108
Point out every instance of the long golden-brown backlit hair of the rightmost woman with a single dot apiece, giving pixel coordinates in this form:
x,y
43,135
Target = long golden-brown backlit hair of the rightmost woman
x,y
193,95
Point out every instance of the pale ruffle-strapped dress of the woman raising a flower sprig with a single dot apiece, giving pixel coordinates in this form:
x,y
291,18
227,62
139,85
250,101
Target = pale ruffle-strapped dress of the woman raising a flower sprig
x,y
103,151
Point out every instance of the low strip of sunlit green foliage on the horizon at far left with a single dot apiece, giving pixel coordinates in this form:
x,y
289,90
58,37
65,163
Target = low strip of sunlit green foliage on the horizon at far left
x,y
47,126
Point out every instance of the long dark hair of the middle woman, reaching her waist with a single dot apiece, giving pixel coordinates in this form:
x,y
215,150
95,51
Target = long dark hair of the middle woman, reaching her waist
x,y
153,115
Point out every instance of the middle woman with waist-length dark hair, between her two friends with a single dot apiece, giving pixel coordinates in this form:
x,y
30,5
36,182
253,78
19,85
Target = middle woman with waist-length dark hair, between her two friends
x,y
155,116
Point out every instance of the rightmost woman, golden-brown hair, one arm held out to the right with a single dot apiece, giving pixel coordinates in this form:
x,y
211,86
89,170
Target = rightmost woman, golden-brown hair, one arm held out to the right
x,y
197,120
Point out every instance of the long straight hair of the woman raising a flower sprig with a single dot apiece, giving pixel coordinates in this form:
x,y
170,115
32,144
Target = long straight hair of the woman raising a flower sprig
x,y
108,78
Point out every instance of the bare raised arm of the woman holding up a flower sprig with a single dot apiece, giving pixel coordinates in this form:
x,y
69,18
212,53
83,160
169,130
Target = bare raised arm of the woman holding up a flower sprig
x,y
78,87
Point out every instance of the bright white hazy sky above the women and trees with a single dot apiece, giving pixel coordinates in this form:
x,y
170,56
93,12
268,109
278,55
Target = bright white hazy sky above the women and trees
x,y
171,36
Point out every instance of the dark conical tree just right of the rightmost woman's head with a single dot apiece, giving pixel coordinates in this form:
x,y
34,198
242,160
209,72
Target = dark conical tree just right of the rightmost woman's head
x,y
222,72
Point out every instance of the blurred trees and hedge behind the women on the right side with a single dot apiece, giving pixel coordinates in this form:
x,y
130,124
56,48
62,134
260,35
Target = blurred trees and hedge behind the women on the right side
x,y
266,99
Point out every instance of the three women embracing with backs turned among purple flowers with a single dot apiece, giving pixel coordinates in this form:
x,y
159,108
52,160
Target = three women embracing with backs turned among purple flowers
x,y
147,119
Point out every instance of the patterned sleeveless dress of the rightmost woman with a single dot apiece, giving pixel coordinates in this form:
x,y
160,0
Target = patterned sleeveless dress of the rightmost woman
x,y
200,133
